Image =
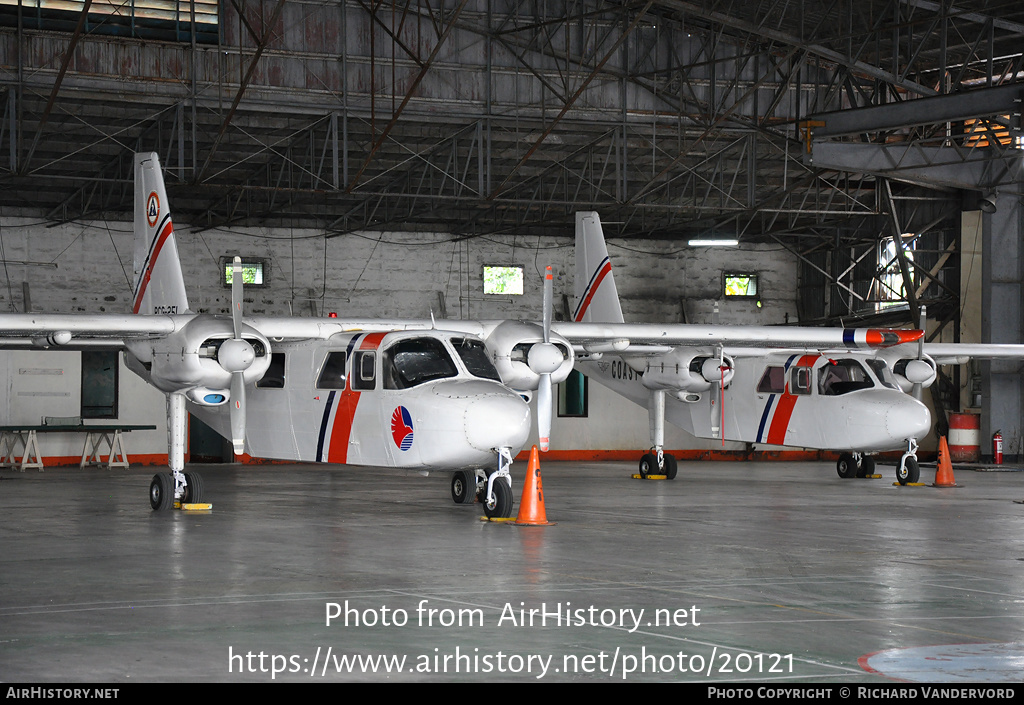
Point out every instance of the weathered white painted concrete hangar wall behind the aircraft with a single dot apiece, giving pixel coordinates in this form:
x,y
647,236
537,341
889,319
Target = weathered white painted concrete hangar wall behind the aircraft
x,y
88,267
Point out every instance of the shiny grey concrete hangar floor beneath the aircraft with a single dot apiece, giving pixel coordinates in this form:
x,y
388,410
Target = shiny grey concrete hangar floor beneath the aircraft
x,y
795,575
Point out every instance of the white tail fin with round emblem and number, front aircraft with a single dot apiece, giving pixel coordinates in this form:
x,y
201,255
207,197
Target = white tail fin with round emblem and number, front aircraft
x,y
160,288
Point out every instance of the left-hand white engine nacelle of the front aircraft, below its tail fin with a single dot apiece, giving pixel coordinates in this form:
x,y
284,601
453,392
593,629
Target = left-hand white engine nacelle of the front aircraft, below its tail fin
x,y
190,358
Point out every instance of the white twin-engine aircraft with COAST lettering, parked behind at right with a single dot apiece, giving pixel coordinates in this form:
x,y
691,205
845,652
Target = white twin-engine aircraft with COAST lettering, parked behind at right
x,y
854,391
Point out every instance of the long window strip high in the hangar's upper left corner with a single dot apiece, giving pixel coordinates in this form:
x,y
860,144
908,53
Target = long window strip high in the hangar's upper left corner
x,y
163,20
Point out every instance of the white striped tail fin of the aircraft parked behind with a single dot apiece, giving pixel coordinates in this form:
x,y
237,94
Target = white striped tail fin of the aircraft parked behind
x,y
598,299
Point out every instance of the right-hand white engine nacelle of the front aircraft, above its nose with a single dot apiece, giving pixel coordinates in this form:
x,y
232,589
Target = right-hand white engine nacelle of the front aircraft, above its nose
x,y
509,347
